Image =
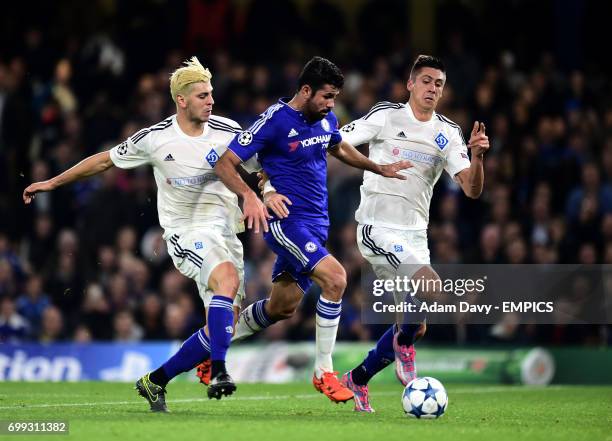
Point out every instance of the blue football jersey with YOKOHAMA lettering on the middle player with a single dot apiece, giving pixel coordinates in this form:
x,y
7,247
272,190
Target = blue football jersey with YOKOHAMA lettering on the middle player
x,y
293,153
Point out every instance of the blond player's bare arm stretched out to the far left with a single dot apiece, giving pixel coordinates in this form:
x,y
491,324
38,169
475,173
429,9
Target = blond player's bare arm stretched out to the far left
x,y
89,166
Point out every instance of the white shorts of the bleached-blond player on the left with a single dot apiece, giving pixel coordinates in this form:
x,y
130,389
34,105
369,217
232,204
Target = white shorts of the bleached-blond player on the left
x,y
196,253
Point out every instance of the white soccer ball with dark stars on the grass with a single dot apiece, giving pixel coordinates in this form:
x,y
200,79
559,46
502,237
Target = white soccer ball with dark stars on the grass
x,y
424,398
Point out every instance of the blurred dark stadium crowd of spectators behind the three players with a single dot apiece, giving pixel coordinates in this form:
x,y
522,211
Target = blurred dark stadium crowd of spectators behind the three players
x,y
87,262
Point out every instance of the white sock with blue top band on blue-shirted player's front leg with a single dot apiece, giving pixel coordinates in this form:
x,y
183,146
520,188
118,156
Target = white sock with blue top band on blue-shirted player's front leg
x,y
327,319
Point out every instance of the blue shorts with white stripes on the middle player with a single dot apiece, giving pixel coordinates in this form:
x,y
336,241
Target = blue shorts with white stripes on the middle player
x,y
299,247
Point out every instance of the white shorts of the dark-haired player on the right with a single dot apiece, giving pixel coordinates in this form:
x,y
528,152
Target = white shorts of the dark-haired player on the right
x,y
386,249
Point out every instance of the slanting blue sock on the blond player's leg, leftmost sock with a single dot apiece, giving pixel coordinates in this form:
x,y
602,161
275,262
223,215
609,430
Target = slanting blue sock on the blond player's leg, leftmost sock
x,y
192,352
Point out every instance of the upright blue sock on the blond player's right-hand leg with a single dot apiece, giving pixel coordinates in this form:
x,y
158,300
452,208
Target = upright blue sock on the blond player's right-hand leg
x,y
220,321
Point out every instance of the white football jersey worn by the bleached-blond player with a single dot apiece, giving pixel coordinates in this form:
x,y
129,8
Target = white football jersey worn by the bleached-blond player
x,y
189,193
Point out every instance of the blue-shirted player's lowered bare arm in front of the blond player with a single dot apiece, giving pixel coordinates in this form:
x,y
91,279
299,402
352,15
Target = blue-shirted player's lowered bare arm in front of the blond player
x,y
254,211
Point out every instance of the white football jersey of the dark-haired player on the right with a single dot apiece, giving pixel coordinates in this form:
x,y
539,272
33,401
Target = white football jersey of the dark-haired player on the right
x,y
394,134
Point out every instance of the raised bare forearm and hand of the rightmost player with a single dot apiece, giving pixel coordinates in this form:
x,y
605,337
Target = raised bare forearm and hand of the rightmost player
x,y
472,179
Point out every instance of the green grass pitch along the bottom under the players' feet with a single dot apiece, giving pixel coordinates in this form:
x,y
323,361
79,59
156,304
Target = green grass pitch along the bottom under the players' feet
x,y
291,412
